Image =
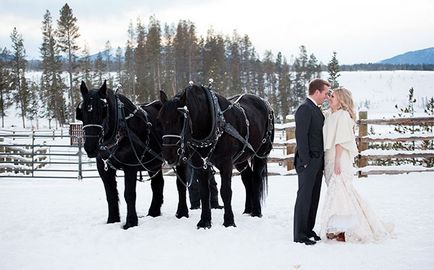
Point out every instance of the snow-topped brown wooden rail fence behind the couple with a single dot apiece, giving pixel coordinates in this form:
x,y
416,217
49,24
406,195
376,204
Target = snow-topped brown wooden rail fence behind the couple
x,y
363,141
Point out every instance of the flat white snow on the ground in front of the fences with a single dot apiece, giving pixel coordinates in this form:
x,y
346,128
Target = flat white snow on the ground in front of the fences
x,y
60,224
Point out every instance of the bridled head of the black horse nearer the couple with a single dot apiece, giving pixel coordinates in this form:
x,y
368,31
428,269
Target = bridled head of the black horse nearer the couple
x,y
172,118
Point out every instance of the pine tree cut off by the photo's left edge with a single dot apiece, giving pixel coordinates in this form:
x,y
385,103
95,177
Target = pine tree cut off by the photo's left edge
x,y
5,80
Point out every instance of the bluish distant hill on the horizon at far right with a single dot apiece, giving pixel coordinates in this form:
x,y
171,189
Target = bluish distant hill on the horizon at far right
x,y
420,57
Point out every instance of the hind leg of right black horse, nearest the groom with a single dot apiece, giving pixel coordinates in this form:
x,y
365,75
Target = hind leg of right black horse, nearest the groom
x,y
259,185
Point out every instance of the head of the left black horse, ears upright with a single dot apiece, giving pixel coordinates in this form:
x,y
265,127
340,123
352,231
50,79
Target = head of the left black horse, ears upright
x,y
92,111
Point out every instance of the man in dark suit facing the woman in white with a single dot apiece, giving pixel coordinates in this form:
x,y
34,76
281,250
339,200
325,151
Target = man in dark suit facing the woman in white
x,y
309,161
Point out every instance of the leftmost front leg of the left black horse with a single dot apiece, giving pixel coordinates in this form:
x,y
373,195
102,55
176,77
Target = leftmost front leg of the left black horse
x,y
109,180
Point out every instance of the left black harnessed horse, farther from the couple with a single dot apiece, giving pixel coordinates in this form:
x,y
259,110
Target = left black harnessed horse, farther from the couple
x,y
124,136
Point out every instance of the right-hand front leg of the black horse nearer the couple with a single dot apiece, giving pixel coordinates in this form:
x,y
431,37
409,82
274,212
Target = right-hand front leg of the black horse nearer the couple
x,y
226,193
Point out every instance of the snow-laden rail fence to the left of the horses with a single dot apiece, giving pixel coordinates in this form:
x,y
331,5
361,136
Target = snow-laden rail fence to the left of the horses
x,y
44,154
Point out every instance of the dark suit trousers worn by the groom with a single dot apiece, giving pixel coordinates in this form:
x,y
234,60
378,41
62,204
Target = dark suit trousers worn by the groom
x,y
306,204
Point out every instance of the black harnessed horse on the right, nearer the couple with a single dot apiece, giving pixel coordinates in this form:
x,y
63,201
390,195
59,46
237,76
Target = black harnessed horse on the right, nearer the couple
x,y
204,129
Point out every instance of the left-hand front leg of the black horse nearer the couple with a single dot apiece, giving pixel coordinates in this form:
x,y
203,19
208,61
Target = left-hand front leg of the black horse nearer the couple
x,y
205,217
